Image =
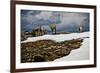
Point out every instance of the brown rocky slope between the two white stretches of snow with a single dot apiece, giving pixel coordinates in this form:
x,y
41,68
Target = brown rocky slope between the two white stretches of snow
x,y
47,50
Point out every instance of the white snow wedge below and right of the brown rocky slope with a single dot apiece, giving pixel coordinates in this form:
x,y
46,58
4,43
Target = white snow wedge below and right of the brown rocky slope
x,y
81,53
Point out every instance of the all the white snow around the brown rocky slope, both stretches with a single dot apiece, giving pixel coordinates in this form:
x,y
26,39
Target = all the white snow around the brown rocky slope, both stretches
x,y
81,53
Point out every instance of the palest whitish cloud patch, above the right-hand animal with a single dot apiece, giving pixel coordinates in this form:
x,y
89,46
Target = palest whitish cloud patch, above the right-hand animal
x,y
72,18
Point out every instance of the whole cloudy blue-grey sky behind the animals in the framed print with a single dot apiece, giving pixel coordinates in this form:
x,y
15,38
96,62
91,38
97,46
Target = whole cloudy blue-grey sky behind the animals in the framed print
x,y
64,21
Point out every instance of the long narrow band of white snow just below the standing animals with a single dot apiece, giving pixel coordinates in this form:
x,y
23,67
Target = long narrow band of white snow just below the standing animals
x,y
58,37
